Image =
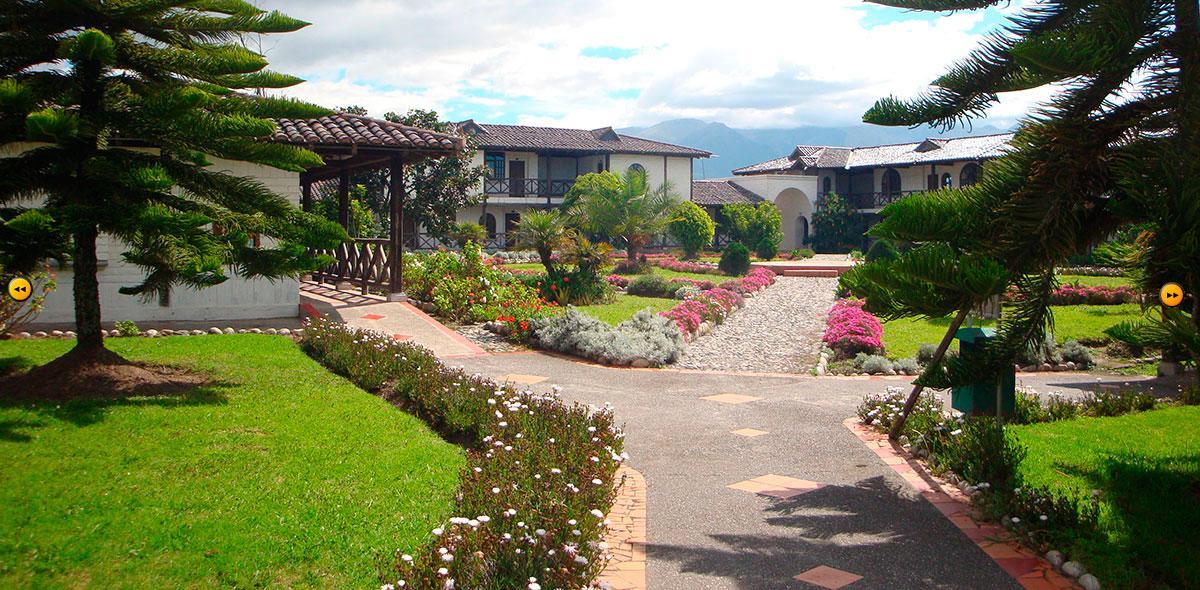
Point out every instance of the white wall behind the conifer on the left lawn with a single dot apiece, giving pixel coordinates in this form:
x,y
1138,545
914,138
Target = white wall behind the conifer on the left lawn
x,y
233,300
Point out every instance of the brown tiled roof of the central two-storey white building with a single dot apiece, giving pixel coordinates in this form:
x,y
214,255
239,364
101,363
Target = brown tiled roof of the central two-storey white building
x,y
603,141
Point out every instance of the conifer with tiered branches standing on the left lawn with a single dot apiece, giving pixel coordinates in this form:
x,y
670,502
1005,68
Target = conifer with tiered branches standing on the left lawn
x,y
124,106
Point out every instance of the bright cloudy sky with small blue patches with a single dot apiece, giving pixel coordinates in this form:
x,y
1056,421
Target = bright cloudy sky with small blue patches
x,y
590,64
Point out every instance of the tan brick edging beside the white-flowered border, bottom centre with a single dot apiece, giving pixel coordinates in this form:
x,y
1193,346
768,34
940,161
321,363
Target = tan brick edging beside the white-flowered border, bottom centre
x,y
627,535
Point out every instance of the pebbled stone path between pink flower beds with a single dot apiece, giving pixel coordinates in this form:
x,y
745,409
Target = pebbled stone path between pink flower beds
x,y
779,330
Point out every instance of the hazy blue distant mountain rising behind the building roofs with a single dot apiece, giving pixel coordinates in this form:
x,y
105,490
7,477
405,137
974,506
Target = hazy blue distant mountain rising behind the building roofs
x,y
737,148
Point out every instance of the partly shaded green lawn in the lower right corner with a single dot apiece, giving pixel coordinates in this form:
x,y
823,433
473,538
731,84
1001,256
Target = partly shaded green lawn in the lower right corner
x,y
1148,468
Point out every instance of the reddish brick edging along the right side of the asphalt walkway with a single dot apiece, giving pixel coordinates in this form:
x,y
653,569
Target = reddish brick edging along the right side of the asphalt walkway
x,y
1028,569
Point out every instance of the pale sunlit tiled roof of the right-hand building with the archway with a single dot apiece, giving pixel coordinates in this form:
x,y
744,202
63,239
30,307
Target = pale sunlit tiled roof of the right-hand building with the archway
x,y
933,150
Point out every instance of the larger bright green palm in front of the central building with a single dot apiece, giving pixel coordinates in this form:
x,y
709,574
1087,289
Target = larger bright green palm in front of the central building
x,y
623,209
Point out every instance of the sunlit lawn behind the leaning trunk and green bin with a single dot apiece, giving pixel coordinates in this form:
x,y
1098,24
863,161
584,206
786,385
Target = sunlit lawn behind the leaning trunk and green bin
x,y
903,338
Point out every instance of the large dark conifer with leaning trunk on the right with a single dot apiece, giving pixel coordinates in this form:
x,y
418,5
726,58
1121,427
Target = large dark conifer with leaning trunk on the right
x,y
1119,143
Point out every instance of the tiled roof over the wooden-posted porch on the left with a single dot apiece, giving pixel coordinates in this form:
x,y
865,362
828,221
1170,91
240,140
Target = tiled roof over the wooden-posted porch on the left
x,y
356,130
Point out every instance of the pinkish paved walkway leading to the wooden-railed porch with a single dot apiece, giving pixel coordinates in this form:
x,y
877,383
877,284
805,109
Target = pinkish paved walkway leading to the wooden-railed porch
x,y
403,322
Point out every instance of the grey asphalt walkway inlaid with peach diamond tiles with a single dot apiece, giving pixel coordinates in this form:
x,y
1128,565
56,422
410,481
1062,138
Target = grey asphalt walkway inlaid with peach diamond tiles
x,y
829,499
